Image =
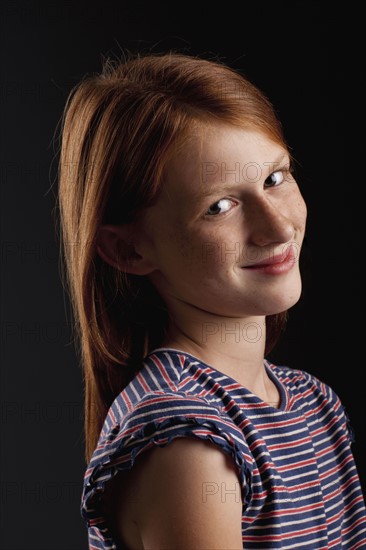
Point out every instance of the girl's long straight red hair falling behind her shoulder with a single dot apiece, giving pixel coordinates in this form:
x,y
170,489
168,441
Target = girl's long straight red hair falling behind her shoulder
x,y
117,132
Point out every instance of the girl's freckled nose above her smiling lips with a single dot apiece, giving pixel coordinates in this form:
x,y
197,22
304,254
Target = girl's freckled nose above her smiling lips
x,y
268,223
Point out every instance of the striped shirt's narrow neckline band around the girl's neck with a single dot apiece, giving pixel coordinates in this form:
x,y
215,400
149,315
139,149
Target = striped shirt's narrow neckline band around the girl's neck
x,y
267,365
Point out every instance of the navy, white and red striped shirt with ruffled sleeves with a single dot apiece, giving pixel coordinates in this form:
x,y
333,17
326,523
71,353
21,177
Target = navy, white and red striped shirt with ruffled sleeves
x,y
299,484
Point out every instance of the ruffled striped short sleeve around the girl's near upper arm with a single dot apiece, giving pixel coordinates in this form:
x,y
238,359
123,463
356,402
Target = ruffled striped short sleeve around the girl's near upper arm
x,y
156,419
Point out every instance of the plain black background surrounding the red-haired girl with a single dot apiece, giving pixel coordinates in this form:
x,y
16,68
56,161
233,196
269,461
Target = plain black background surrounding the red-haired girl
x,y
308,59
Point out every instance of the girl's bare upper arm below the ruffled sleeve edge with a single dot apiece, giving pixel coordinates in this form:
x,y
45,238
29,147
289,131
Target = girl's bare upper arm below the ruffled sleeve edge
x,y
186,496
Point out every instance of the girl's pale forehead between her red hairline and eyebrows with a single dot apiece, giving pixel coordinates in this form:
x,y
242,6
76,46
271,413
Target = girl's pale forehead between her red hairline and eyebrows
x,y
212,154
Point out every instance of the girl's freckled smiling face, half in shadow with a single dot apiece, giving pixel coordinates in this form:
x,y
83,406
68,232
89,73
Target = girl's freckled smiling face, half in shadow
x,y
226,232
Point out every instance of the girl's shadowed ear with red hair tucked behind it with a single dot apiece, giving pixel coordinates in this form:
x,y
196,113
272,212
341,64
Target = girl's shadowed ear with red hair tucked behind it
x,y
115,245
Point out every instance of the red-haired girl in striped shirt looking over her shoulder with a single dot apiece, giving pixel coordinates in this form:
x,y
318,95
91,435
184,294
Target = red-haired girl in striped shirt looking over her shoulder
x,y
182,226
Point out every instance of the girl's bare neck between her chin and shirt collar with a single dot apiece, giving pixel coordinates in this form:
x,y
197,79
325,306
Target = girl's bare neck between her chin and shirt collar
x,y
234,346
